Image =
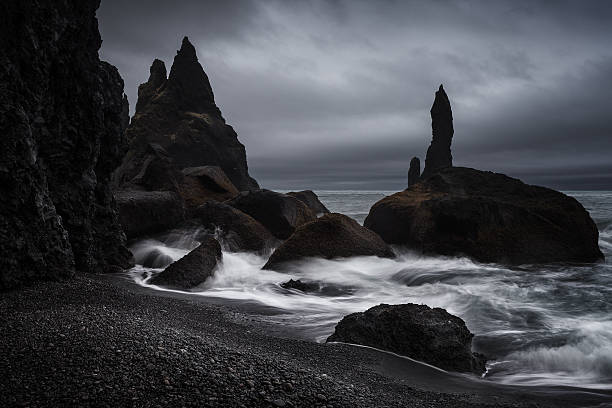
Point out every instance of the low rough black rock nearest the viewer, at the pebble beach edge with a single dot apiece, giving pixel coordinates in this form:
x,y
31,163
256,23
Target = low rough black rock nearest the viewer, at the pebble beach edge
x,y
430,335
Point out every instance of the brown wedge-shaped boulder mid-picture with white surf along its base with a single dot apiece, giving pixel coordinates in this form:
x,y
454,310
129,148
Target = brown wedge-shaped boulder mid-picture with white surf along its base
x,y
331,236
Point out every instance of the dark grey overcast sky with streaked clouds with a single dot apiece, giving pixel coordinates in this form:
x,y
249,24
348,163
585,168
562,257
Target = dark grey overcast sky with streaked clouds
x,y
336,94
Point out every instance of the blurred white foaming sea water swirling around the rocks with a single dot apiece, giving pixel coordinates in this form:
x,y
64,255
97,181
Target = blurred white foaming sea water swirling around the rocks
x,y
538,324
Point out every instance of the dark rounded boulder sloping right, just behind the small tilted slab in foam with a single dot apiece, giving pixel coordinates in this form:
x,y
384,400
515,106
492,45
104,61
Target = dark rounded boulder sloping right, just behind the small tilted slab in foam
x,y
237,230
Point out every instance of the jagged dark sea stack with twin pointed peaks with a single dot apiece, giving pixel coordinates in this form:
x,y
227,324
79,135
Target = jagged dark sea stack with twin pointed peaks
x,y
179,114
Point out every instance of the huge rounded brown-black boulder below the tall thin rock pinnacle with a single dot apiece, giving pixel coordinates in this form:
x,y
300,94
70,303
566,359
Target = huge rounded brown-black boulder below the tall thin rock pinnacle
x,y
487,216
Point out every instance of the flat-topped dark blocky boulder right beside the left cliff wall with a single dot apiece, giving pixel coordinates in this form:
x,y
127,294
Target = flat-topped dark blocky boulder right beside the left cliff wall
x,y
148,212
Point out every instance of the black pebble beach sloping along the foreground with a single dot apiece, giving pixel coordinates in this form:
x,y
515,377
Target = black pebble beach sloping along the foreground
x,y
103,340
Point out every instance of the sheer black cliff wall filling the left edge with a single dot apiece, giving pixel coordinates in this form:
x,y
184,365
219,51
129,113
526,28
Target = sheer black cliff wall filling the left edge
x,y
62,120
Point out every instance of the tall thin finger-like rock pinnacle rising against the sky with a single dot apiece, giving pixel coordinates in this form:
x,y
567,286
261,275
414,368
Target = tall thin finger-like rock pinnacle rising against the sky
x,y
439,152
